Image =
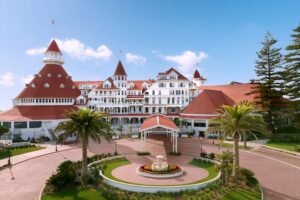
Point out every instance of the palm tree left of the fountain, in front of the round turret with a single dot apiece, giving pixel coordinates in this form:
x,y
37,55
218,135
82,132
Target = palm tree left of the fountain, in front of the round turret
x,y
85,124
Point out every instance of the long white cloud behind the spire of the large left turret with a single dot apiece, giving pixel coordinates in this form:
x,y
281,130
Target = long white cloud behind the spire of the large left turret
x,y
76,49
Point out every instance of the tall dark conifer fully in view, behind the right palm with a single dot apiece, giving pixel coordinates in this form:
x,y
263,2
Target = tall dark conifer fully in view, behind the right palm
x,y
269,79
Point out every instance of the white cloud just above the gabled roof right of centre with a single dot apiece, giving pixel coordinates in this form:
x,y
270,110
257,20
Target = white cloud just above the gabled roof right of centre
x,y
188,61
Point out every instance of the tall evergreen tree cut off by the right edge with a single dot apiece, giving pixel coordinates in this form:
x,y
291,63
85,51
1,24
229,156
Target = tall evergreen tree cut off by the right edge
x,y
292,72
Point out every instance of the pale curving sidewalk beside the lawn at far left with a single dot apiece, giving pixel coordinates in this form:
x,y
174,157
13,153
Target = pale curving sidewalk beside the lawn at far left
x,y
49,148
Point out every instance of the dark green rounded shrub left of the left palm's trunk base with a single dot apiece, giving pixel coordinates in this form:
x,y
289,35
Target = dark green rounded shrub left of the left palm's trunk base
x,y
65,176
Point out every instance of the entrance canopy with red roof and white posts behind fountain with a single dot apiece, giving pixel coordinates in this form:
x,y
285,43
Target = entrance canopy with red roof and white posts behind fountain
x,y
160,124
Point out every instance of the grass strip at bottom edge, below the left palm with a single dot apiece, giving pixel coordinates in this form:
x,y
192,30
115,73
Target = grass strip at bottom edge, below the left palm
x,y
86,194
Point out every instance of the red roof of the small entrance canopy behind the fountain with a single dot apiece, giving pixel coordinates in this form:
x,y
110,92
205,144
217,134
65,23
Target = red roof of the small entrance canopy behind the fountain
x,y
158,121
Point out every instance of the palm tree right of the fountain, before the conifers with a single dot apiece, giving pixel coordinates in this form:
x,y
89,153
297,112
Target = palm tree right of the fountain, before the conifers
x,y
238,120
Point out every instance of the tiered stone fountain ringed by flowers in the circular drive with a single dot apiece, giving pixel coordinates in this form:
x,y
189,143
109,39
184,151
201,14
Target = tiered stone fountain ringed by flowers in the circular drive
x,y
160,169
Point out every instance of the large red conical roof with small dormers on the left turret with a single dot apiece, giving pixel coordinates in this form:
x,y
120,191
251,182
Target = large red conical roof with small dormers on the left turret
x,y
55,76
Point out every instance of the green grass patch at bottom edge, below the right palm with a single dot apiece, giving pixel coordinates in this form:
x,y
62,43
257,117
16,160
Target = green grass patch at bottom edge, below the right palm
x,y
241,194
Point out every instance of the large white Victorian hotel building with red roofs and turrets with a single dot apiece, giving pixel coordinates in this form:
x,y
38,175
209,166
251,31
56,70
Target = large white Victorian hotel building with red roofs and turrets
x,y
52,93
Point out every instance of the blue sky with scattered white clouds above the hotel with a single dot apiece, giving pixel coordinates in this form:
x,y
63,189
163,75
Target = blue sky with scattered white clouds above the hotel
x,y
220,38
